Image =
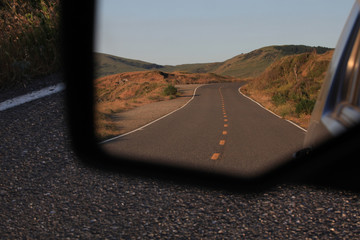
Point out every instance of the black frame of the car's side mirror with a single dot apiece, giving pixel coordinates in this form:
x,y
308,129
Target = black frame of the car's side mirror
x,y
332,164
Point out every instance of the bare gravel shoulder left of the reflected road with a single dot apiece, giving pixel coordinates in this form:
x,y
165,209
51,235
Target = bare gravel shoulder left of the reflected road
x,y
140,116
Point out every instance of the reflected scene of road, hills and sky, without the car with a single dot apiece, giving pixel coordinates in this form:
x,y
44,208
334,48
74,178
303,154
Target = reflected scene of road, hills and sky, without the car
x,y
222,86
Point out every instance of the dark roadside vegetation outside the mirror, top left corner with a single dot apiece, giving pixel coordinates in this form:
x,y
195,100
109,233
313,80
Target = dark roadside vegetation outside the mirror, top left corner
x,y
28,40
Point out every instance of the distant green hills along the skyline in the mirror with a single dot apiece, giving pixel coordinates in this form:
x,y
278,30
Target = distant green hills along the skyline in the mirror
x,y
250,64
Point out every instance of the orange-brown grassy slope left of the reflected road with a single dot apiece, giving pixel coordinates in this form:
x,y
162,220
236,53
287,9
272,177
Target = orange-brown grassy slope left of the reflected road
x,y
124,91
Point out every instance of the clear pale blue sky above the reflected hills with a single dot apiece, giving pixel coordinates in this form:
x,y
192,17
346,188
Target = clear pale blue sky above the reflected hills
x,y
171,32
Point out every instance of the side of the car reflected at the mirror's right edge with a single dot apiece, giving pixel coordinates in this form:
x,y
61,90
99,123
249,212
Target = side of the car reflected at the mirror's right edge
x,y
337,107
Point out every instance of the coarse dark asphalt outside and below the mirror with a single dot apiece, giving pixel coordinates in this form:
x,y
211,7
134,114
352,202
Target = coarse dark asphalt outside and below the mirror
x,y
45,193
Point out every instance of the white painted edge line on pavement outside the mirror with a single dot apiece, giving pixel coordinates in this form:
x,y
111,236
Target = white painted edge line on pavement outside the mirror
x,y
10,103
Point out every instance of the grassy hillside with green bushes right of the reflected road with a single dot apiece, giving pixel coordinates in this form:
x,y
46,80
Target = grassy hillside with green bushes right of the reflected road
x,y
290,85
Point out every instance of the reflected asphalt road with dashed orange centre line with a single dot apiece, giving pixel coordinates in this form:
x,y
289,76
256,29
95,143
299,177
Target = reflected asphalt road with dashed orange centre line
x,y
219,130
